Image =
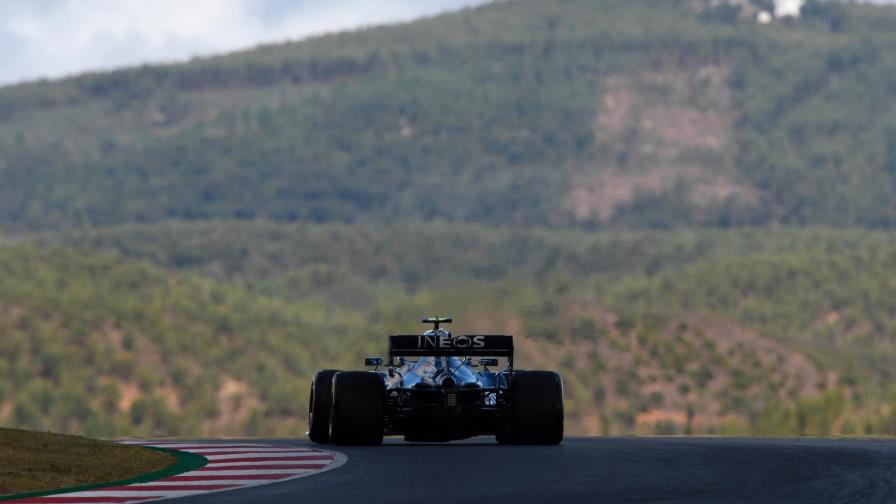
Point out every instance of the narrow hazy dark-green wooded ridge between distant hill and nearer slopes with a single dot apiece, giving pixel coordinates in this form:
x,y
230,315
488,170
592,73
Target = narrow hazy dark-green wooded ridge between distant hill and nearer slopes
x,y
299,260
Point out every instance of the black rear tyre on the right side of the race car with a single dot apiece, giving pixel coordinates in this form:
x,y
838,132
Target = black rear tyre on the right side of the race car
x,y
536,402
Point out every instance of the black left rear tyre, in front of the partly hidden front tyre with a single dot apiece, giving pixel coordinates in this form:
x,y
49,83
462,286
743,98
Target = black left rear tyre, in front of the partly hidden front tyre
x,y
356,416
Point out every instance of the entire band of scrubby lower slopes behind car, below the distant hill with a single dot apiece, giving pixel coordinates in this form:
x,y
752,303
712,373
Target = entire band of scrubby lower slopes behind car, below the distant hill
x,y
752,331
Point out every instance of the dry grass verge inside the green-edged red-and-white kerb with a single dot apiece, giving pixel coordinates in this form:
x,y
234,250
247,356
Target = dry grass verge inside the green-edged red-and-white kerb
x,y
40,462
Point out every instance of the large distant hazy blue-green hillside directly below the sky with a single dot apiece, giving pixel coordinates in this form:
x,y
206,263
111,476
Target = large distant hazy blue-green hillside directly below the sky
x,y
656,113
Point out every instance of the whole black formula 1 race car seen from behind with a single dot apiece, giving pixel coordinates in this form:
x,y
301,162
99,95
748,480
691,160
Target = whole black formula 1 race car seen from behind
x,y
431,390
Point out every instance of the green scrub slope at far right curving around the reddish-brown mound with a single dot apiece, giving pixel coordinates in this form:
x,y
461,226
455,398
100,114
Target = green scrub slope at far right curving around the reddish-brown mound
x,y
837,308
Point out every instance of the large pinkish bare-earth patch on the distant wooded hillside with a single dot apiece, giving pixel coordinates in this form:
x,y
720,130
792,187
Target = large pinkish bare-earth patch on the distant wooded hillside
x,y
657,131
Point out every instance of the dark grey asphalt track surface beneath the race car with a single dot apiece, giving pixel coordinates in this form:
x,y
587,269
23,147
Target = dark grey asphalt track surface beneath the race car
x,y
611,470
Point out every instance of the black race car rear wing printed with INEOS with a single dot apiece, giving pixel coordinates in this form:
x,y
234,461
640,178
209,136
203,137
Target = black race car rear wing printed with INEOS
x,y
467,345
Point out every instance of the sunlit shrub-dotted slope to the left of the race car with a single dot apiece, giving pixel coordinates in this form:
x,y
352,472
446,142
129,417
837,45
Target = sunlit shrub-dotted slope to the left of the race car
x,y
103,346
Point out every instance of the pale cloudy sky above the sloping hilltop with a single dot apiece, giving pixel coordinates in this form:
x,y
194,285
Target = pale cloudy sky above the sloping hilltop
x,y
52,38
